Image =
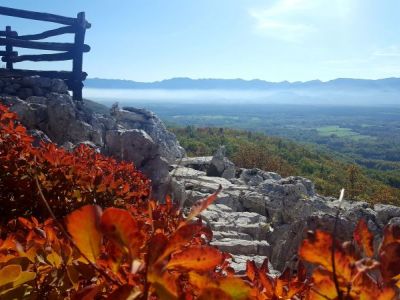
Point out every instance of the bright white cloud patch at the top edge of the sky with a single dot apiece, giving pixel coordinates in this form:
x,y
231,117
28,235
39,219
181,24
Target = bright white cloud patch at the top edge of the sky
x,y
293,20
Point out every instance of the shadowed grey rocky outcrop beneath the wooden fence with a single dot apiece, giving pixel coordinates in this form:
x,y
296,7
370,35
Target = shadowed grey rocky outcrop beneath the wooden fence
x,y
47,110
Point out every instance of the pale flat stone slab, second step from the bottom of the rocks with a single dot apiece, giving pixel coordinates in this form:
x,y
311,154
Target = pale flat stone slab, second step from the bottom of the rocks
x,y
243,247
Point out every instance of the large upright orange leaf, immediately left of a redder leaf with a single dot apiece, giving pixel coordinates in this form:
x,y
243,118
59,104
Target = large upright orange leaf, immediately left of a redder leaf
x,y
83,225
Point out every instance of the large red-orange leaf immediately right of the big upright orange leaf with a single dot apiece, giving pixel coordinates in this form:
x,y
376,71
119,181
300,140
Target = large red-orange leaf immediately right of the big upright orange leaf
x,y
119,226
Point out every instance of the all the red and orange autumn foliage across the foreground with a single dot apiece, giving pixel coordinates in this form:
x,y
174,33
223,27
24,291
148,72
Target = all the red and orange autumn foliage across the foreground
x,y
148,250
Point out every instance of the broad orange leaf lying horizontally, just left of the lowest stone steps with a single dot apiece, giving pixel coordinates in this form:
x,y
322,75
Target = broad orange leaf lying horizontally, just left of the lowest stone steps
x,y
199,258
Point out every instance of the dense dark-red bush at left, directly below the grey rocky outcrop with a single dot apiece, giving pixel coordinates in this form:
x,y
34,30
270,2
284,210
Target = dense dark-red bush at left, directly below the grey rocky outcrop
x,y
68,180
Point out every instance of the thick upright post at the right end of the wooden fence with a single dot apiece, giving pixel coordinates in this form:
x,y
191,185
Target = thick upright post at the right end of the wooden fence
x,y
78,57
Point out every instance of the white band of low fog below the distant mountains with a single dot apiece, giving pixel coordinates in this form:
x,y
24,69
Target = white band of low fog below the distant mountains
x,y
302,97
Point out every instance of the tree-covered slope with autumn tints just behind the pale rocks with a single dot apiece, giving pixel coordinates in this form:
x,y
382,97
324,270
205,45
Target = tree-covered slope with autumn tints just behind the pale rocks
x,y
256,150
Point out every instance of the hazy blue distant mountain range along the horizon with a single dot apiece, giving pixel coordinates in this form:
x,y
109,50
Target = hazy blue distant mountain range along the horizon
x,y
388,84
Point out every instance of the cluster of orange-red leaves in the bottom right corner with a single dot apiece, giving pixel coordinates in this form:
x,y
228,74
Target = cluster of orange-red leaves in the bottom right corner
x,y
351,275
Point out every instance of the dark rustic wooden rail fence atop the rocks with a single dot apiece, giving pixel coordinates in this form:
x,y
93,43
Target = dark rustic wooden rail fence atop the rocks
x,y
69,51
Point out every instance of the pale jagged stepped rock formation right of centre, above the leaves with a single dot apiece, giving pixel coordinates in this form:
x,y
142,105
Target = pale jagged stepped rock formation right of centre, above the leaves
x,y
260,214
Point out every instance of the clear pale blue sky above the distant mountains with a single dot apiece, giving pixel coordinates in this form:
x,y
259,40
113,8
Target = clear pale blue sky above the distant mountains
x,y
274,40
